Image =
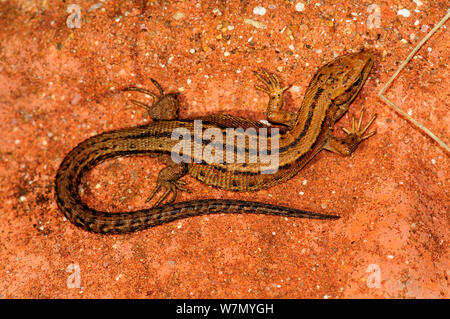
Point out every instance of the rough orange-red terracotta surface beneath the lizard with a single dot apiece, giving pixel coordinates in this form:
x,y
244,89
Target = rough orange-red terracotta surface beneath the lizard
x,y
58,86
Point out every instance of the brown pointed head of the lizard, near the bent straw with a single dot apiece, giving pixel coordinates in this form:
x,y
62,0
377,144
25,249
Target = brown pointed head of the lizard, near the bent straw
x,y
345,75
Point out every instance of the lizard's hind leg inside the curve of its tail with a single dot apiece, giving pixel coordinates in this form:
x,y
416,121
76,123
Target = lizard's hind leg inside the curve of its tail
x,y
168,179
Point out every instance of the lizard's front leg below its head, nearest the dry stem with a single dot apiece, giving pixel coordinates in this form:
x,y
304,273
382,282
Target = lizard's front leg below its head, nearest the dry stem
x,y
346,146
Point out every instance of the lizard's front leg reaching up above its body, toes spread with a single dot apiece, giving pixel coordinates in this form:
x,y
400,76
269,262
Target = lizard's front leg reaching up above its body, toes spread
x,y
273,88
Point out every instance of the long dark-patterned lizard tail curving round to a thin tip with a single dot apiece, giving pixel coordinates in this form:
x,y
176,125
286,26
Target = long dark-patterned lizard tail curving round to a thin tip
x,y
101,147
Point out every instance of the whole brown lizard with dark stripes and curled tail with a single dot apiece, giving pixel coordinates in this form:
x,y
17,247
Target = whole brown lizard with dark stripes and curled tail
x,y
327,98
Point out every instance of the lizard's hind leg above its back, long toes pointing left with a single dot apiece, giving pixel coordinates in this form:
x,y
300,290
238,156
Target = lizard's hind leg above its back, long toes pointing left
x,y
164,106
